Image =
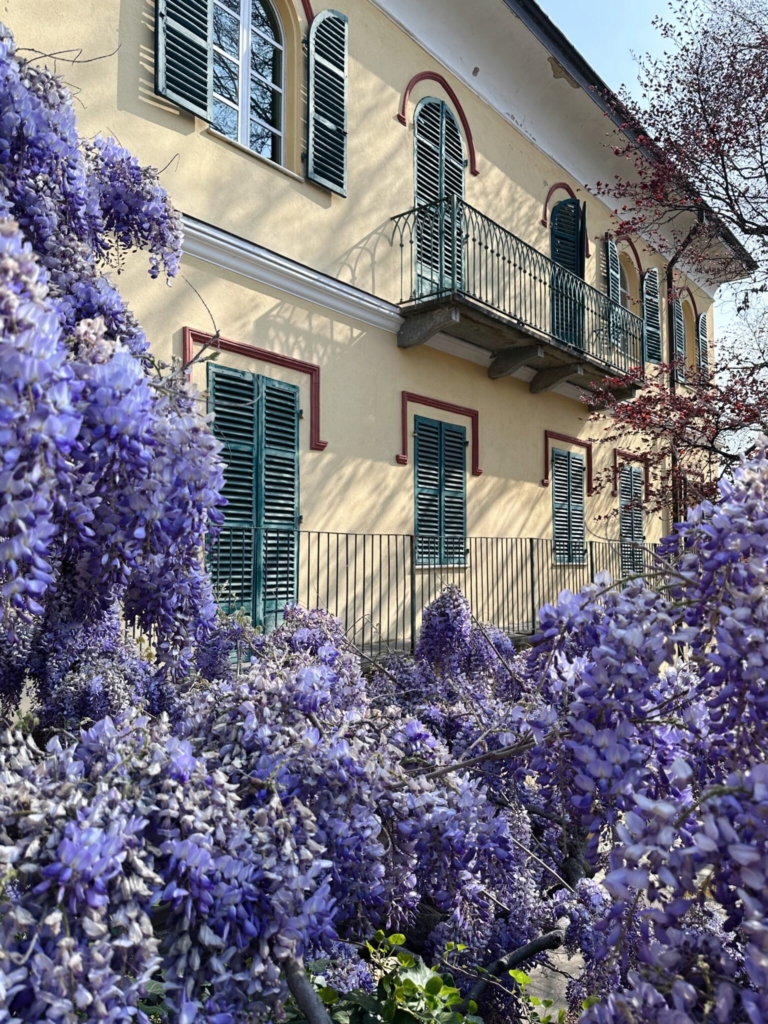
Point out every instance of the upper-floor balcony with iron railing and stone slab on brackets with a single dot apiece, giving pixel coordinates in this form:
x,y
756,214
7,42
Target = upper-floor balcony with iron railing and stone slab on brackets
x,y
464,276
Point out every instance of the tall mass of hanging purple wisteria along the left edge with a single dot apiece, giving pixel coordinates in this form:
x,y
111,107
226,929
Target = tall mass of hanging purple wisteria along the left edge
x,y
110,477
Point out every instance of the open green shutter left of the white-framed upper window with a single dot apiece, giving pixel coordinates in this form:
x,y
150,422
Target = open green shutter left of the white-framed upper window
x,y
184,55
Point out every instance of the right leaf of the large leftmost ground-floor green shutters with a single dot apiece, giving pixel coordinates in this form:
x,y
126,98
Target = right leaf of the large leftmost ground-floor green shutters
x,y
278,411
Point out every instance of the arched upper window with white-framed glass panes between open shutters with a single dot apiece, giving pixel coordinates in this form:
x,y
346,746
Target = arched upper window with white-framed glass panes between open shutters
x,y
248,75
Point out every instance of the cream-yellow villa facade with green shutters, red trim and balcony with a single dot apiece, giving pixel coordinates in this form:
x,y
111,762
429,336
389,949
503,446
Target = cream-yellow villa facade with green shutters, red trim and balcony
x,y
387,209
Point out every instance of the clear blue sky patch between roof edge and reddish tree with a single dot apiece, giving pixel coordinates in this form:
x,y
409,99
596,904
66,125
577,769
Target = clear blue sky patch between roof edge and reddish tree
x,y
608,33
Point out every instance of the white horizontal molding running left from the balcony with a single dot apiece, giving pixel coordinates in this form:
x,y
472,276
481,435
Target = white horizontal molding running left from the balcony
x,y
254,263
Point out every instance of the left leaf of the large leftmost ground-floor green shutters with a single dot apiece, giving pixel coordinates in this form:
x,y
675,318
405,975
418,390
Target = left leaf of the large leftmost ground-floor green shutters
x,y
231,559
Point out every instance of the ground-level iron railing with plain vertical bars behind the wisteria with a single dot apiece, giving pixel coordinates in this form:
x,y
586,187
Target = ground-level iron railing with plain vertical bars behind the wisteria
x,y
378,585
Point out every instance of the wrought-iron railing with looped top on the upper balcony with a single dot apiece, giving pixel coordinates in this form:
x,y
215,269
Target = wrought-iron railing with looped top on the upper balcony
x,y
449,248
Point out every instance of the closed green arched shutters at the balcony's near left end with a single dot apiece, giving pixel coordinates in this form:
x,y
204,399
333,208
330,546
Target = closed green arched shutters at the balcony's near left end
x,y
439,180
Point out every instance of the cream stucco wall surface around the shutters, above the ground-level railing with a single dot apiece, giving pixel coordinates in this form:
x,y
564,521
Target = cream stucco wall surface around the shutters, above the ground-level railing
x,y
355,484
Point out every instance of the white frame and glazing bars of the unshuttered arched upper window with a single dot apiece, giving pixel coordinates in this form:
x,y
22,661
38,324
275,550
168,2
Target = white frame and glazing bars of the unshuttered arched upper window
x,y
247,32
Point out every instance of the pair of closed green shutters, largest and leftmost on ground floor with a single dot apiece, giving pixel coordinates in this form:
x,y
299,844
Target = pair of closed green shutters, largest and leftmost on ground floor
x,y
254,562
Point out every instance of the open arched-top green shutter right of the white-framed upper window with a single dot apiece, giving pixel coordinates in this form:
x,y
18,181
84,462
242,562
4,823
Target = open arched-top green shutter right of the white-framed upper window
x,y
327,149
